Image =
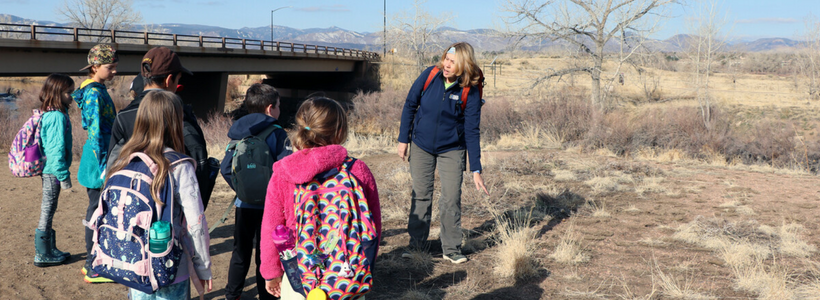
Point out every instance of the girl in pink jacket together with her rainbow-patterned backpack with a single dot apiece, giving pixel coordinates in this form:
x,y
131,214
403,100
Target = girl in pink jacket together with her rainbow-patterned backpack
x,y
326,204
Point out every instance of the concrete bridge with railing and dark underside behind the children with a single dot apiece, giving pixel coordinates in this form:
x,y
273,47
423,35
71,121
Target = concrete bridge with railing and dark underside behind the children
x,y
296,70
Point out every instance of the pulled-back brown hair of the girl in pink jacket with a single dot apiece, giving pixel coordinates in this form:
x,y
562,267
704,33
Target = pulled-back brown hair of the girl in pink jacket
x,y
320,122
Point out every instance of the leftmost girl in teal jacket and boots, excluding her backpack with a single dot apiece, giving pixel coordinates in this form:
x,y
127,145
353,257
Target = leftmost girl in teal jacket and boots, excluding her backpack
x,y
55,134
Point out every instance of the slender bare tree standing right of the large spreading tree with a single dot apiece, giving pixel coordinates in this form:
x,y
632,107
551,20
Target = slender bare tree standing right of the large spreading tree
x,y
706,42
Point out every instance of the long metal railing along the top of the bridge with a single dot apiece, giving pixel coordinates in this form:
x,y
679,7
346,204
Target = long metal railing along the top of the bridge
x,y
60,33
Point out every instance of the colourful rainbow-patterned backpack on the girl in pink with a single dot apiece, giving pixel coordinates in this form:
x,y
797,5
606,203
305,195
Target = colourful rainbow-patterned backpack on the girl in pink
x,y
336,236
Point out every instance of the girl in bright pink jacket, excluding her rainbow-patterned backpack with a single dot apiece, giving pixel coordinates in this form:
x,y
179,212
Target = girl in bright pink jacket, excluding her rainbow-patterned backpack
x,y
321,128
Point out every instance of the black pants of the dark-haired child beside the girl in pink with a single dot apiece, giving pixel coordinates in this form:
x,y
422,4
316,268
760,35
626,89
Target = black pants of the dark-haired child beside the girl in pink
x,y
247,228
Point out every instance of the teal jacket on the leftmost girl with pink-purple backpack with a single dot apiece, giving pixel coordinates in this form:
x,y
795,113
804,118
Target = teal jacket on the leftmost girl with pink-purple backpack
x,y
56,143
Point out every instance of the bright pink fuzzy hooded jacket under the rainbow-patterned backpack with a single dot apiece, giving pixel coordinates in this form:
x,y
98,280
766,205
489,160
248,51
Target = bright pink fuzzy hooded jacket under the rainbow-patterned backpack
x,y
297,168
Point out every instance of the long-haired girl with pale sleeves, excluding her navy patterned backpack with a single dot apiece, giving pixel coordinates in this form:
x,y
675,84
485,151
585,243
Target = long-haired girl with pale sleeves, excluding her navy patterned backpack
x,y
158,128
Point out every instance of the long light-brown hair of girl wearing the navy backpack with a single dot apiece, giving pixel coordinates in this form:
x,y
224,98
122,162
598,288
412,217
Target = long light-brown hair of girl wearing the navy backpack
x,y
158,125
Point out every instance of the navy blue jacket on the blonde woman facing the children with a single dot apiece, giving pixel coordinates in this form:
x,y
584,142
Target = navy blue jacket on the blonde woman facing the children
x,y
434,122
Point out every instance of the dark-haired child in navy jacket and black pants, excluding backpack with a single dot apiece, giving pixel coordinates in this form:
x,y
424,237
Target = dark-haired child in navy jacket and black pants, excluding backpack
x,y
262,104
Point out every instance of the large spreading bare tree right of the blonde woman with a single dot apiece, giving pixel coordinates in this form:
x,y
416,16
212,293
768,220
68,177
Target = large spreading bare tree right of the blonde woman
x,y
590,26
